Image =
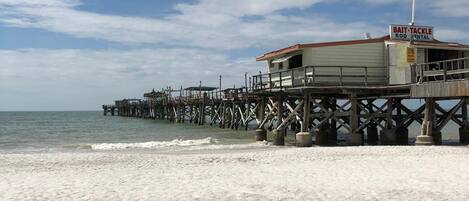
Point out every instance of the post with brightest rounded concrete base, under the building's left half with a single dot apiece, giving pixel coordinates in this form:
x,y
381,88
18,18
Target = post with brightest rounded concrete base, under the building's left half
x,y
304,138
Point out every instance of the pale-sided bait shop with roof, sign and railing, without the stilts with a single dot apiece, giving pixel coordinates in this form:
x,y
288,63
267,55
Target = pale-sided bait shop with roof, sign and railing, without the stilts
x,y
379,61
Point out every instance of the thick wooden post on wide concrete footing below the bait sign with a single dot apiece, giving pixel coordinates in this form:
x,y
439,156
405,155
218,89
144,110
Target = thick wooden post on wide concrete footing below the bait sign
x,y
427,133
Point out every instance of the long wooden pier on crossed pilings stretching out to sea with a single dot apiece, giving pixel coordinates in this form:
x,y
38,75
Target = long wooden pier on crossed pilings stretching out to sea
x,y
368,111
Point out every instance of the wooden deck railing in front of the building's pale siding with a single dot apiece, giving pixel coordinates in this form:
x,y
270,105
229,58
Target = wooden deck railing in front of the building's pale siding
x,y
321,76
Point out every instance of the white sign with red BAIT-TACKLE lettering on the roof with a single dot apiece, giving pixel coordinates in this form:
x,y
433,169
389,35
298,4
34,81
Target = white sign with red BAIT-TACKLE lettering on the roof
x,y
406,32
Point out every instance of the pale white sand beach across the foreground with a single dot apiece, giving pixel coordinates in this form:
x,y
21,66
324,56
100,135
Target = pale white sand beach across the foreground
x,y
338,173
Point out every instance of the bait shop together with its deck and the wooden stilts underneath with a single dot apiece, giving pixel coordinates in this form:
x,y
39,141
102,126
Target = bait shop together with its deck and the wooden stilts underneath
x,y
409,63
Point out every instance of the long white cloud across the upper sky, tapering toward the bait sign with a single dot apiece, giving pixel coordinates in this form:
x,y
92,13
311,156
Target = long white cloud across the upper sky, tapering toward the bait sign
x,y
206,24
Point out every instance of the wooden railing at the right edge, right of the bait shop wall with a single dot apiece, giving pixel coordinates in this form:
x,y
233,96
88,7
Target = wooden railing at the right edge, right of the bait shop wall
x,y
453,69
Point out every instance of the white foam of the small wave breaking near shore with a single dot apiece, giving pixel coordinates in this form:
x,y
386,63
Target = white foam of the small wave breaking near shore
x,y
154,144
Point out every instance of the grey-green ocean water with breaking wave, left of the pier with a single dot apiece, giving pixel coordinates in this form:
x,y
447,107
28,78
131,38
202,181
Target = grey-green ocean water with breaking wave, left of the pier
x,y
69,131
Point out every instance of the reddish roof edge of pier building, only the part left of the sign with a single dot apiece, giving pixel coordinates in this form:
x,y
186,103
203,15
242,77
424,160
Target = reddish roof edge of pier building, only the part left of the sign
x,y
298,47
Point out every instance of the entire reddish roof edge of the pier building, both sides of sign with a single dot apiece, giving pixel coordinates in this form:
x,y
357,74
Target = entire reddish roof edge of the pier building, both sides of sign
x,y
298,47
